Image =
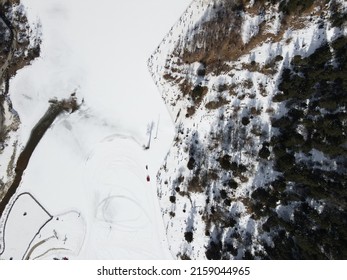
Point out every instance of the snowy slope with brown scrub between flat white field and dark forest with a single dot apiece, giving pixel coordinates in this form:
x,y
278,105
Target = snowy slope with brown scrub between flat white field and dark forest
x,y
219,86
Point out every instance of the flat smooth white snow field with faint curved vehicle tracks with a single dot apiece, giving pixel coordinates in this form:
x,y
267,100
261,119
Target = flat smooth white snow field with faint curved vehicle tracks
x,y
90,169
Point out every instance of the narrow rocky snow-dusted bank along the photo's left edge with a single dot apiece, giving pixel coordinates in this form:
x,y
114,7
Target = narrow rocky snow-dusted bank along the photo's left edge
x,y
19,45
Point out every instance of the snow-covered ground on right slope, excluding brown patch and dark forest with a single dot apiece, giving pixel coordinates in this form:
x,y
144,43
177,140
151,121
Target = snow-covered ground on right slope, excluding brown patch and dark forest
x,y
197,132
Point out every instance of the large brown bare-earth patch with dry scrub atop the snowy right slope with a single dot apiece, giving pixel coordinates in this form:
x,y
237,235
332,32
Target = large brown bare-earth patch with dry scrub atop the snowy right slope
x,y
221,40
